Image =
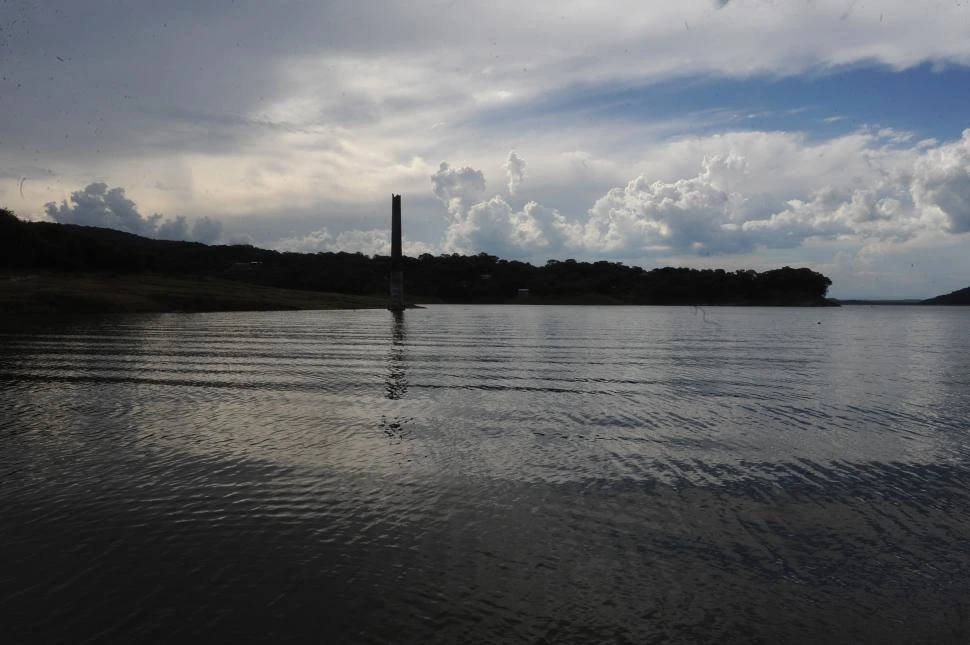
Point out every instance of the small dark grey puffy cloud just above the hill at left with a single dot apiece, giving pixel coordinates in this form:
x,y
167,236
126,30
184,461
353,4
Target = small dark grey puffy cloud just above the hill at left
x,y
97,205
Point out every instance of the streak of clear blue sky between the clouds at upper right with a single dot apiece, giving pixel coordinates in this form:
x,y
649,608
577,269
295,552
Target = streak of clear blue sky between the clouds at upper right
x,y
925,100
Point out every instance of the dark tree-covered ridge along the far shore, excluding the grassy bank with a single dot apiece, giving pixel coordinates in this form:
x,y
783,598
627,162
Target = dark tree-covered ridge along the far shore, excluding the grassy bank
x,y
481,278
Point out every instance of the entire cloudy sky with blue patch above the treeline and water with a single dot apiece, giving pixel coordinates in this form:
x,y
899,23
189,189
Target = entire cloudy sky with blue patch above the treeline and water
x,y
701,133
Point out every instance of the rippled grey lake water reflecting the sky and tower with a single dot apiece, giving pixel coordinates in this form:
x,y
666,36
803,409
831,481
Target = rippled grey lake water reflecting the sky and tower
x,y
488,474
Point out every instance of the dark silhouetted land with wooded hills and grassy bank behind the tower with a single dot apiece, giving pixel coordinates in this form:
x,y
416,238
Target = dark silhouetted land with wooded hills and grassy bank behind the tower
x,y
227,277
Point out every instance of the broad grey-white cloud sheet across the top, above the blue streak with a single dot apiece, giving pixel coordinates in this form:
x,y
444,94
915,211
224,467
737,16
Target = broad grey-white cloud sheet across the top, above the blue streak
x,y
336,85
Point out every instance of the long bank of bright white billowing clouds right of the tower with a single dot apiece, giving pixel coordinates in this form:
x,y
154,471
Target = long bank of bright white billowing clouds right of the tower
x,y
873,188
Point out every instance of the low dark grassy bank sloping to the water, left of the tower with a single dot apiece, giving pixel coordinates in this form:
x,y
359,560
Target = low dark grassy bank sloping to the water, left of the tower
x,y
22,293
